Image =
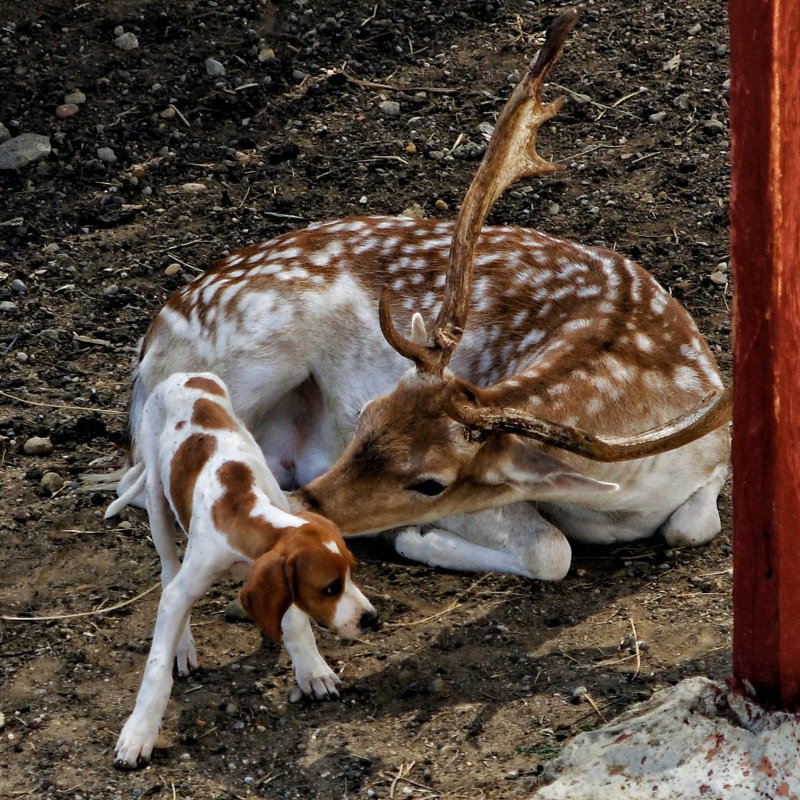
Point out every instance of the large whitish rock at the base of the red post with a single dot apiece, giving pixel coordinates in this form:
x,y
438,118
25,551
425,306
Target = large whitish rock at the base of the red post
x,y
695,741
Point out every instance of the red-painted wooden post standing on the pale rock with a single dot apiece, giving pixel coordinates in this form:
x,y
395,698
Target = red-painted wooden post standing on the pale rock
x,y
765,246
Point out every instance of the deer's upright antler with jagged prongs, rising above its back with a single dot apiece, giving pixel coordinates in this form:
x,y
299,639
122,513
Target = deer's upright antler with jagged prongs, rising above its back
x,y
511,155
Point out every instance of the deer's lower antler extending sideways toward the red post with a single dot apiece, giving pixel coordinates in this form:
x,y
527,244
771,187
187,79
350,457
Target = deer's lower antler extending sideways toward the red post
x,y
714,412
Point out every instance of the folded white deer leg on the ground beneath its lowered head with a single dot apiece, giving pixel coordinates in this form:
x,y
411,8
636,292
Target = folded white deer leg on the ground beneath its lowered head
x,y
514,539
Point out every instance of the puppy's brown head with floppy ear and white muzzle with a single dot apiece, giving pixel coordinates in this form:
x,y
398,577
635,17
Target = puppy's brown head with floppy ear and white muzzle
x,y
311,567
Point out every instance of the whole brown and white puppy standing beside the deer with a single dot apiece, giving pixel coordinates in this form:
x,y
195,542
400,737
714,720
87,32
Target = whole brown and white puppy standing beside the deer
x,y
201,467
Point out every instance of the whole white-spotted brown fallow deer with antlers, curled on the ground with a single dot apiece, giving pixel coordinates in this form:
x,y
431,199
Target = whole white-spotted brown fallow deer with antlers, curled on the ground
x,y
487,464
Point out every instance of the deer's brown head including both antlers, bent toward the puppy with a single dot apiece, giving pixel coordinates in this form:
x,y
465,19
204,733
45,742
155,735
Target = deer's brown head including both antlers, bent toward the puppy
x,y
437,445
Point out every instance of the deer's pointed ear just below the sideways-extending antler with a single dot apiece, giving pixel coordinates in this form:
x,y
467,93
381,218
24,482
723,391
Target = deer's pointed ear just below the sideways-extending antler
x,y
537,475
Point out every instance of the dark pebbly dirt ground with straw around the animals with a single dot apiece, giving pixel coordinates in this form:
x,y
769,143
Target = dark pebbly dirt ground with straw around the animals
x,y
470,686
